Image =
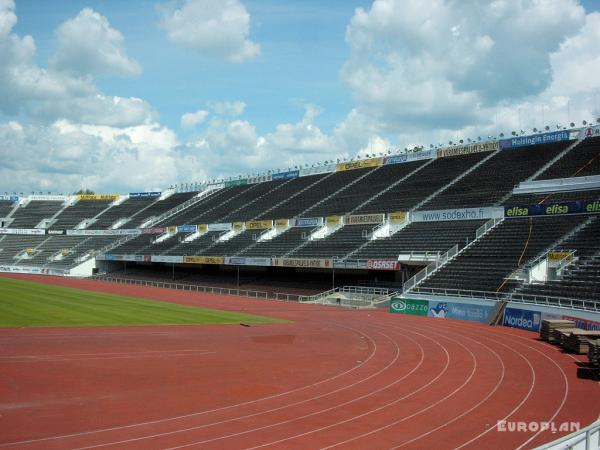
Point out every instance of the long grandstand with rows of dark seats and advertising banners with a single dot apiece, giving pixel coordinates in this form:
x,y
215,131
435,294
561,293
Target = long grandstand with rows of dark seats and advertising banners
x,y
409,208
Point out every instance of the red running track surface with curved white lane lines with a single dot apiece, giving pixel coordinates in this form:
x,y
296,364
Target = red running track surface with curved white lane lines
x,y
332,378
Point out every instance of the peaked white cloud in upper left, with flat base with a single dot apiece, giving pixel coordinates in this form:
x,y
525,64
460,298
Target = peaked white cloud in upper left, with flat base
x,y
87,44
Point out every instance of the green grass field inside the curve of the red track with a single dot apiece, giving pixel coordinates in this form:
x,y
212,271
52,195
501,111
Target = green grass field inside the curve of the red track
x,y
27,304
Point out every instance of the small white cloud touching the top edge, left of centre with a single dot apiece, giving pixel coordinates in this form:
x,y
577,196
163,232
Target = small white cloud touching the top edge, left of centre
x,y
214,28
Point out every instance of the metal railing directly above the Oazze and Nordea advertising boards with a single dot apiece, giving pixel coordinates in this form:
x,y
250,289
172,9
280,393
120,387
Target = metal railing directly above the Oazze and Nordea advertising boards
x,y
540,300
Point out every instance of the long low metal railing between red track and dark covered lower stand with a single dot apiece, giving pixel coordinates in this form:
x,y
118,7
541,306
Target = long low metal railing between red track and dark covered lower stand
x,y
206,289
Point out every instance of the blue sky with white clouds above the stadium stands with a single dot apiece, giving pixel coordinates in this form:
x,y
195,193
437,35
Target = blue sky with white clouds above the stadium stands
x,y
140,95
